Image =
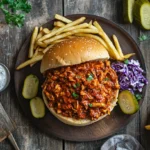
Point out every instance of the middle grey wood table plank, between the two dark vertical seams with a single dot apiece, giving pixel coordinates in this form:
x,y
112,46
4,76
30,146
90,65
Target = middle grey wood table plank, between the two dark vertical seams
x,y
111,10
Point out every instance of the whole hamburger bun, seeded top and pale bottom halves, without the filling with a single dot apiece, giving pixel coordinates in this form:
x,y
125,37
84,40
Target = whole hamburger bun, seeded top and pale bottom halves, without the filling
x,y
71,52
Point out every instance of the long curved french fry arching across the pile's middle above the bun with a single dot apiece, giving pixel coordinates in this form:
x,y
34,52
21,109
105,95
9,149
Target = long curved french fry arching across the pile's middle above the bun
x,y
57,37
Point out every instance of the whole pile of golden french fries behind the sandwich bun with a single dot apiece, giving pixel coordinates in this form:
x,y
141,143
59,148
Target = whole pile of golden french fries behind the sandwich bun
x,y
43,38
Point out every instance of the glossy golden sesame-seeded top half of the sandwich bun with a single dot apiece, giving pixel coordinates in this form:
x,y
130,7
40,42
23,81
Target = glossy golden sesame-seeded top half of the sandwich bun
x,y
73,51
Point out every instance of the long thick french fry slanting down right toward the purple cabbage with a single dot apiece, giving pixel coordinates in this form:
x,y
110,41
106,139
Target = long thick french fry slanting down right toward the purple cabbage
x,y
112,50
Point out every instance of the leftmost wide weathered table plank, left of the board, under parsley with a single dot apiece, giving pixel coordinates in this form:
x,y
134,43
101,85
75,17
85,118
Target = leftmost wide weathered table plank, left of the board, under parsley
x,y
27,136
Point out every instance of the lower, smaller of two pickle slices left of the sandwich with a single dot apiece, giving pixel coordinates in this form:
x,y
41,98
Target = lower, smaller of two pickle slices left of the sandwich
x,y
37,107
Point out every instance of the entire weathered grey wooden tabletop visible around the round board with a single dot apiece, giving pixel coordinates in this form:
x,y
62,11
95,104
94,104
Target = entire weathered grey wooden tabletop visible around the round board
x,y
27,136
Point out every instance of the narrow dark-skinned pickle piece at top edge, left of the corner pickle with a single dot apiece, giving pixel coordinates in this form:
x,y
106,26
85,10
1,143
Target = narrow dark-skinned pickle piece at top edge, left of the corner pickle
x,y
128,10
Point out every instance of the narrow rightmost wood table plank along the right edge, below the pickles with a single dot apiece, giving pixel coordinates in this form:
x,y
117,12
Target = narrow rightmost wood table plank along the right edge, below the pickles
x,y
145,110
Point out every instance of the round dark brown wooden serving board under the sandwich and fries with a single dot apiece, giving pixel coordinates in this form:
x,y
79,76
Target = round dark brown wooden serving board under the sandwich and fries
x,y
52,125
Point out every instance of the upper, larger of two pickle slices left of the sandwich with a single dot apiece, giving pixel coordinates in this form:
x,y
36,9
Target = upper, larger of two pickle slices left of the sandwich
x,y
30,87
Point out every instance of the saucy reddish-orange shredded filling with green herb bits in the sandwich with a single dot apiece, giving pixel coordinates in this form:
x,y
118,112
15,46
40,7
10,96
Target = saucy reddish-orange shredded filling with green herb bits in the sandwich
x,y
83,91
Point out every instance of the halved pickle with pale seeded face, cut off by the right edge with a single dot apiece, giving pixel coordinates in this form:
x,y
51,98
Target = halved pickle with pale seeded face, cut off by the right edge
x,y
142,13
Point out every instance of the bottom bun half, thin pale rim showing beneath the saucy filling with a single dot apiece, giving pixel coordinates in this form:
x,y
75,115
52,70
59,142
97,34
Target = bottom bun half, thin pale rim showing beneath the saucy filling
x,y
76,122
